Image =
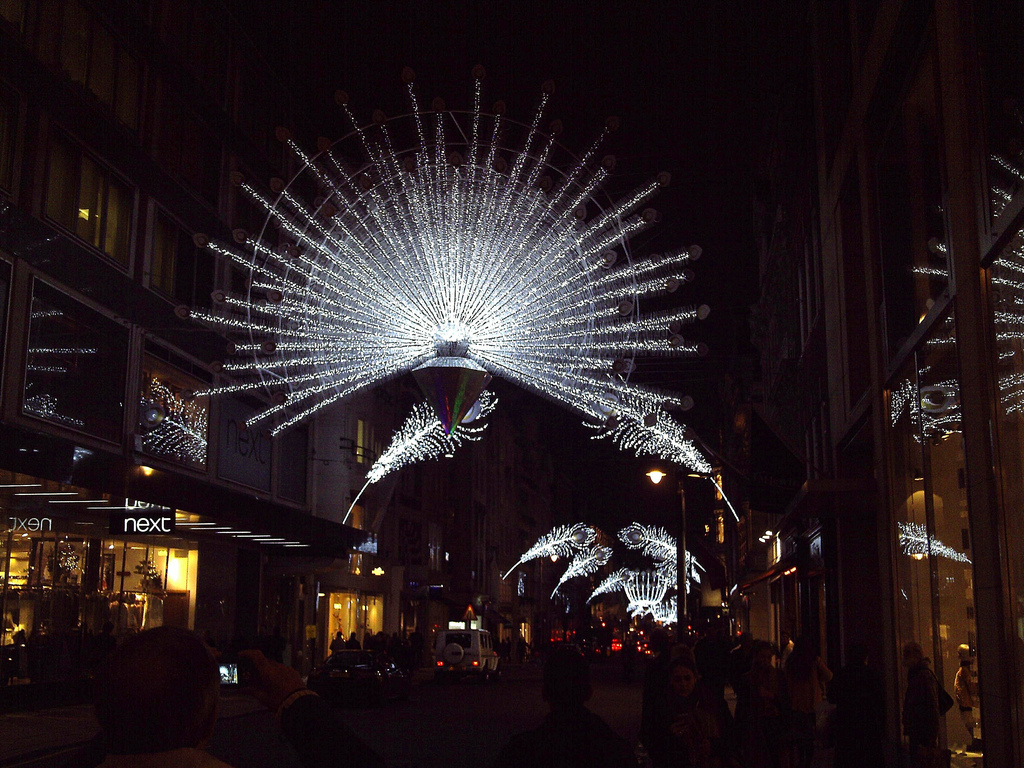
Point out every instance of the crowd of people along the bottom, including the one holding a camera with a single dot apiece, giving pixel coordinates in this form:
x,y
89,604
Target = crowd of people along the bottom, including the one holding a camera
x,y
787,703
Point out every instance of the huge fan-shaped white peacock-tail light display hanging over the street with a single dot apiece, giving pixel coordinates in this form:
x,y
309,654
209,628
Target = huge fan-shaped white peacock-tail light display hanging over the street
x,y
460,251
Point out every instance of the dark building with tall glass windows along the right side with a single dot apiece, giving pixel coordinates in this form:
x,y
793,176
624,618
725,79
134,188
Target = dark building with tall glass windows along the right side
x,y
890,205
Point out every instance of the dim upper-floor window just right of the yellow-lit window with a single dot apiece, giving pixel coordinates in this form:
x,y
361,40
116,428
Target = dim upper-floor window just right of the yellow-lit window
x,y
178,268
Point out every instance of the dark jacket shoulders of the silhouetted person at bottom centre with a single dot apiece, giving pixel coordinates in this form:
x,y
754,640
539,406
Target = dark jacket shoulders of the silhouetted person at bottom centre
x,y
575,738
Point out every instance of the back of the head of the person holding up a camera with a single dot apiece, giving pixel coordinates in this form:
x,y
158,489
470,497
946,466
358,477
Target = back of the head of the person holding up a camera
x,y
158,693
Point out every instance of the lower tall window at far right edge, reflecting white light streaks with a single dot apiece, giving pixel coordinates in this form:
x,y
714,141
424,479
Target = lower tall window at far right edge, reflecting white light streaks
x,y
1007,281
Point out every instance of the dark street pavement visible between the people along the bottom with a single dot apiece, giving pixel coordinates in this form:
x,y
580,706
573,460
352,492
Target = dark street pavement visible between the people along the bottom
x,y
441,726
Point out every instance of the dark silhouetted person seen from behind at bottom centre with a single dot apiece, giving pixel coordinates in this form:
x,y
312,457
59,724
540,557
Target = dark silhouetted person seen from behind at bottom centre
x,y
571,737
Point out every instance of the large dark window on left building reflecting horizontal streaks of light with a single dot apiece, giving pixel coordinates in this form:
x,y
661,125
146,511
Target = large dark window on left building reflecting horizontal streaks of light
x,y
75,366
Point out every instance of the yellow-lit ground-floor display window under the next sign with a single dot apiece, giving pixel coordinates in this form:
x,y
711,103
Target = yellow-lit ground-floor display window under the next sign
x,y
65,583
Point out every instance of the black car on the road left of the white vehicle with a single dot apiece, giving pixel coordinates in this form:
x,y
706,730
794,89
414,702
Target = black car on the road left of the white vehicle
x,y
360,676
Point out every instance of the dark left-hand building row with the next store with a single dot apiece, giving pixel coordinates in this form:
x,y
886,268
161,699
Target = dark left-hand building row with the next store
x,y
124,131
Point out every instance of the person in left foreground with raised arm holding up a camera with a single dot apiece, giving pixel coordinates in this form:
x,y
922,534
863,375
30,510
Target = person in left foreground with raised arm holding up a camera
x,y
157,701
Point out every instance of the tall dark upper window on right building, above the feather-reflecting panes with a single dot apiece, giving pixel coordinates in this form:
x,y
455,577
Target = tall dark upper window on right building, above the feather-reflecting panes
x,y
912,218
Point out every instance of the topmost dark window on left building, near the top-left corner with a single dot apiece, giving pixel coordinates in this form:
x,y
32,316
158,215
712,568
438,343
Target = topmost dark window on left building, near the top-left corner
x,y
90,56
